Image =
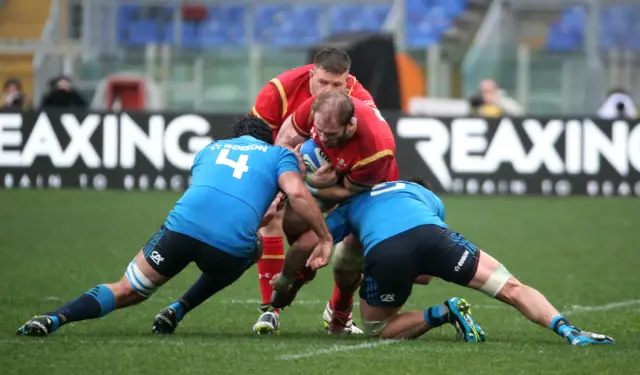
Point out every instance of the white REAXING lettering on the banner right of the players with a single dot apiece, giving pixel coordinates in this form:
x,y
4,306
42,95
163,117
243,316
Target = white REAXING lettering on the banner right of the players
x,y
472,151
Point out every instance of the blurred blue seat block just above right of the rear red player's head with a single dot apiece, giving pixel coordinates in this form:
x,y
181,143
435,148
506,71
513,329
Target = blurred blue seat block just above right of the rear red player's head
x,y
345,18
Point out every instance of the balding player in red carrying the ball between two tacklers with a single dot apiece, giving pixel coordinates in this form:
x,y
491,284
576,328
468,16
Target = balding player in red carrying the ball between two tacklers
x,y
361,147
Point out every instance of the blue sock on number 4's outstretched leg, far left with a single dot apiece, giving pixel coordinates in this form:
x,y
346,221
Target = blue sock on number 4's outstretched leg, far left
x,y
97,302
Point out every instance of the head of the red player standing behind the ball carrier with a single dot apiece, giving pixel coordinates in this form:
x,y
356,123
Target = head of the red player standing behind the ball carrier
x,y
330,71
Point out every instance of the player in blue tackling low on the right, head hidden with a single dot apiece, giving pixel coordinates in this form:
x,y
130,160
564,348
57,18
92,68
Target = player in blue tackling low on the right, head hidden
x,y
401,226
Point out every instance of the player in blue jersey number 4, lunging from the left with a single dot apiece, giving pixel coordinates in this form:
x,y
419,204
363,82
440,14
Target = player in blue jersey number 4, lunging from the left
x,y
214,224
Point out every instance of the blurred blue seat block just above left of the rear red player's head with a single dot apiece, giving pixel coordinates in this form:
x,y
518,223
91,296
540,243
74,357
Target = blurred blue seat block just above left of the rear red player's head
x,y
287,25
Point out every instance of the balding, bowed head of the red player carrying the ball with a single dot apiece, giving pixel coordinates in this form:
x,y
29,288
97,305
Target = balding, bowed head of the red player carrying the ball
x,y
333,118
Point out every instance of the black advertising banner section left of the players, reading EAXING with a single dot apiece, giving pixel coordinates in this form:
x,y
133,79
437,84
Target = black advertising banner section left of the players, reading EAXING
x,y
132,151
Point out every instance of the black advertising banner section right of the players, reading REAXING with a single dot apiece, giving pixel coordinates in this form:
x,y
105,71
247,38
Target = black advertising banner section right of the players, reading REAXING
x,y
521,156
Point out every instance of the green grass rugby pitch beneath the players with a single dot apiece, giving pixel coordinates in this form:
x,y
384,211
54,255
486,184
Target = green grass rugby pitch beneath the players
x,y
582,253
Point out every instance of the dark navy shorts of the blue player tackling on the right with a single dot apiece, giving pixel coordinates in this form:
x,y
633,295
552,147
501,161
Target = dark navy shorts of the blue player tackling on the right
x,y
391,266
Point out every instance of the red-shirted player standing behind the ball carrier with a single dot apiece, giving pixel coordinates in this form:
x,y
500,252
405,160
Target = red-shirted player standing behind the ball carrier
x,y
276,102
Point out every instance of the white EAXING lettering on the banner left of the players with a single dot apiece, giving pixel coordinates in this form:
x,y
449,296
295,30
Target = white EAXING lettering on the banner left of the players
x,y
122,139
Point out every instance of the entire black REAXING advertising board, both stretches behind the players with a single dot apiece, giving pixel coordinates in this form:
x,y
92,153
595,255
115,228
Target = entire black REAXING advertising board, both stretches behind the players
x,y
154,151
